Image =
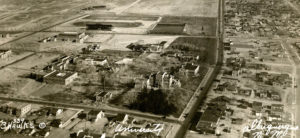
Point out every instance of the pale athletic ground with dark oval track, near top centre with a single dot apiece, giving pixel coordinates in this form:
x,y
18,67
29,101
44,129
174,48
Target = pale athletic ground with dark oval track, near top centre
x,y
120,24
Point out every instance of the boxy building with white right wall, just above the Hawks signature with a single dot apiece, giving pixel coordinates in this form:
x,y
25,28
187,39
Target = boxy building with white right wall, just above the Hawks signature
x,y
18,109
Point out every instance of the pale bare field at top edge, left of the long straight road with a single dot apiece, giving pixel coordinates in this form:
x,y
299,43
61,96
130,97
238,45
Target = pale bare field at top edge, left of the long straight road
x,y
204,8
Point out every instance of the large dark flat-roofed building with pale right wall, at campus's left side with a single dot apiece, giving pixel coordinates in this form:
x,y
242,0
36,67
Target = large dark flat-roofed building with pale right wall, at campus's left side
x,y
57,77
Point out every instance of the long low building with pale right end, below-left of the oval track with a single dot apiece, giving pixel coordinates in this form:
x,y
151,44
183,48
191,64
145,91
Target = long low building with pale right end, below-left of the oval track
x,y
72,37
